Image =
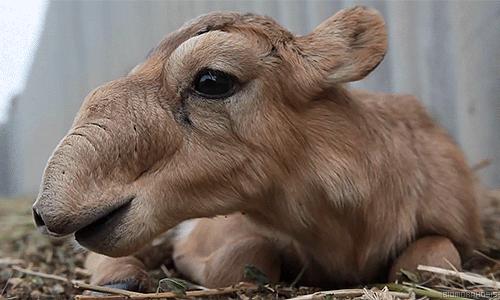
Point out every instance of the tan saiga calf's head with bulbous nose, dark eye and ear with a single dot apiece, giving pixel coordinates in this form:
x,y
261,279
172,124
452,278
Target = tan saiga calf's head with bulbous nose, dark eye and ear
x,y
212,122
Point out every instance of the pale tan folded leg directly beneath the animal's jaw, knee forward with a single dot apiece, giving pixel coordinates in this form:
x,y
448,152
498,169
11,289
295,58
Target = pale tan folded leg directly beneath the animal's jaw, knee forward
x,y
215,251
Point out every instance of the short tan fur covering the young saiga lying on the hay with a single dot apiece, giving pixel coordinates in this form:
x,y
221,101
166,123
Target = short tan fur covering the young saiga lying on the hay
x,y
338,181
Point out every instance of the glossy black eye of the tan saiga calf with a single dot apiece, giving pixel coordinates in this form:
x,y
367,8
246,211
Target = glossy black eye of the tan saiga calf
x,y
214,84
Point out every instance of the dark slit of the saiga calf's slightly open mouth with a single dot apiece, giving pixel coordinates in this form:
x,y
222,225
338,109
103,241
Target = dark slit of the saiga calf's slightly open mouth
x,y
103,224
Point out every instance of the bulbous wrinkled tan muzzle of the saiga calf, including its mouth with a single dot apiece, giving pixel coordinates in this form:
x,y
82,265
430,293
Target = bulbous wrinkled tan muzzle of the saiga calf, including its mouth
x,y
90,184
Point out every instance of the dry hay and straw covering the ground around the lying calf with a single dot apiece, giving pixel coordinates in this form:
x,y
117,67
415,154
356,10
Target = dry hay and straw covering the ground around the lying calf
x,y
32,267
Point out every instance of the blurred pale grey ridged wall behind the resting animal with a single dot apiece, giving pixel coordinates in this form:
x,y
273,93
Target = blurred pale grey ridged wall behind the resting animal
x,y
52,53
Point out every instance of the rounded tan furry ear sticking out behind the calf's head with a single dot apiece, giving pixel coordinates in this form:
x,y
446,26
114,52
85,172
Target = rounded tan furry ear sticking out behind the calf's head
x,y
347,46
